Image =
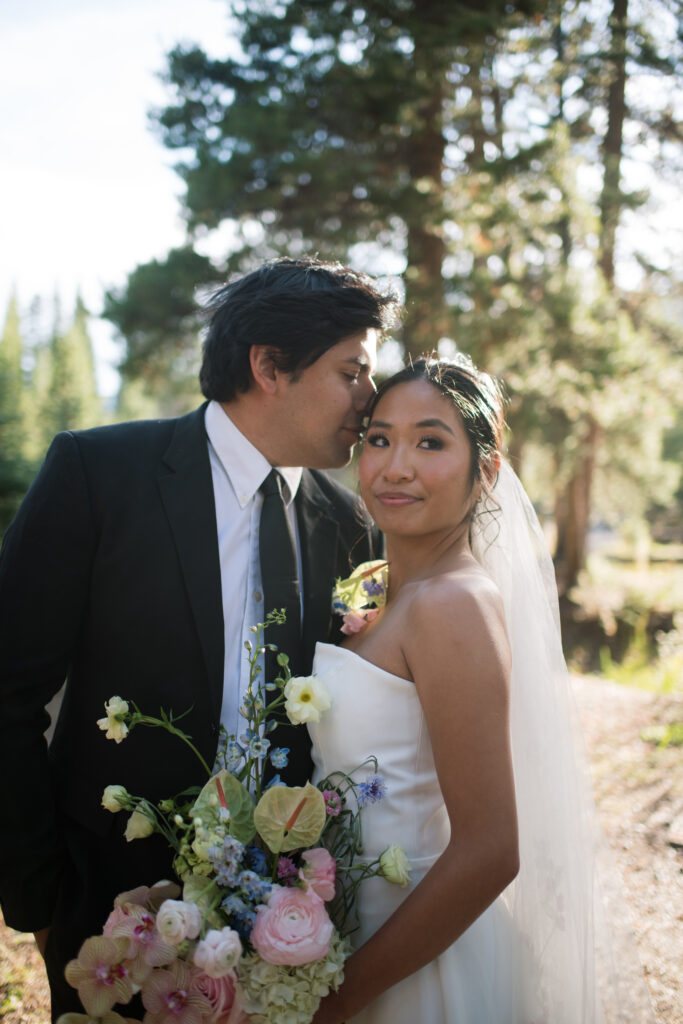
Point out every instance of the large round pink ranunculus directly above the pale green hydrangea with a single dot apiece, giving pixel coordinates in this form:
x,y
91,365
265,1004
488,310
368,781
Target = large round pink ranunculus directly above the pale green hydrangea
x,y
293,928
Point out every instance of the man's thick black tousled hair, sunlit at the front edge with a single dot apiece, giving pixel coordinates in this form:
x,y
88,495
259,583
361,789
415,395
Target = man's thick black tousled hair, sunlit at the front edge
x,y
298,309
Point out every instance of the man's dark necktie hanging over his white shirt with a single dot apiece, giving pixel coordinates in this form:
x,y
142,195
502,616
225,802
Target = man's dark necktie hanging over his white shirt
x,y
279,575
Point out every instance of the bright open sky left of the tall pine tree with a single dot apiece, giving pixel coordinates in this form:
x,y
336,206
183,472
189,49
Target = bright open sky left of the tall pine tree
x,y
87,190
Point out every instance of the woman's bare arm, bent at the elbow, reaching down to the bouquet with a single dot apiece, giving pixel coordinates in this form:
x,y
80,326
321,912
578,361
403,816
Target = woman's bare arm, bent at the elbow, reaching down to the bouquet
x,y
459,658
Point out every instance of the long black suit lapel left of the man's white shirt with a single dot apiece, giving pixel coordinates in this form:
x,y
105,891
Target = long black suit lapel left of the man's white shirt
x,y
187,491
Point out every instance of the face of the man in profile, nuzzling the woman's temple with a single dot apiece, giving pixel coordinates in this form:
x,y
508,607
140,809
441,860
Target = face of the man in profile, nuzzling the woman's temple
x,y
322,406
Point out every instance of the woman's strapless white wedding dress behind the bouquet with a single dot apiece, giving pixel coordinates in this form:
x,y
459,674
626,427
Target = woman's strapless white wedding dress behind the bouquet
x,y
376,713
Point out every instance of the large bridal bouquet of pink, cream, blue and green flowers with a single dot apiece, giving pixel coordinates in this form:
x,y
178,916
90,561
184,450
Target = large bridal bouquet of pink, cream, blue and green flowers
x,y
258,931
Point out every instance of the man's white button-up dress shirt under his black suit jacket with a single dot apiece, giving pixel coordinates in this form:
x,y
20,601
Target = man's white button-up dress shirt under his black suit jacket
x,y
238,471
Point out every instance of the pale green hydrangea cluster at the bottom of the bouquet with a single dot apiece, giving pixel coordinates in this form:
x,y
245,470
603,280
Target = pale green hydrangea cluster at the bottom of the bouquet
x,y
280,995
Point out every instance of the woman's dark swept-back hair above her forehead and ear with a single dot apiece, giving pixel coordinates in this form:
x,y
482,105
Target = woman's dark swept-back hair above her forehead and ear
x,y
477,396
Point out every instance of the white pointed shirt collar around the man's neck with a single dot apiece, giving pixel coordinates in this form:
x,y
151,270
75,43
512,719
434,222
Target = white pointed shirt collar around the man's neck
x,y
245,466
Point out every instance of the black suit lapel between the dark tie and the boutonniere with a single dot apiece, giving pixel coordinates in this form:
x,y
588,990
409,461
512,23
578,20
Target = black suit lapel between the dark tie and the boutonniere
x,y
319,535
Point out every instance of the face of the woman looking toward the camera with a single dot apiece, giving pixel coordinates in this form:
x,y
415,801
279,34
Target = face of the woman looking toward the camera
x,y
415,466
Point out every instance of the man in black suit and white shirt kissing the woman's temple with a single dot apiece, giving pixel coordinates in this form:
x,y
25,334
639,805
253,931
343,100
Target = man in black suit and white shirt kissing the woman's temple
x,y
135,569
